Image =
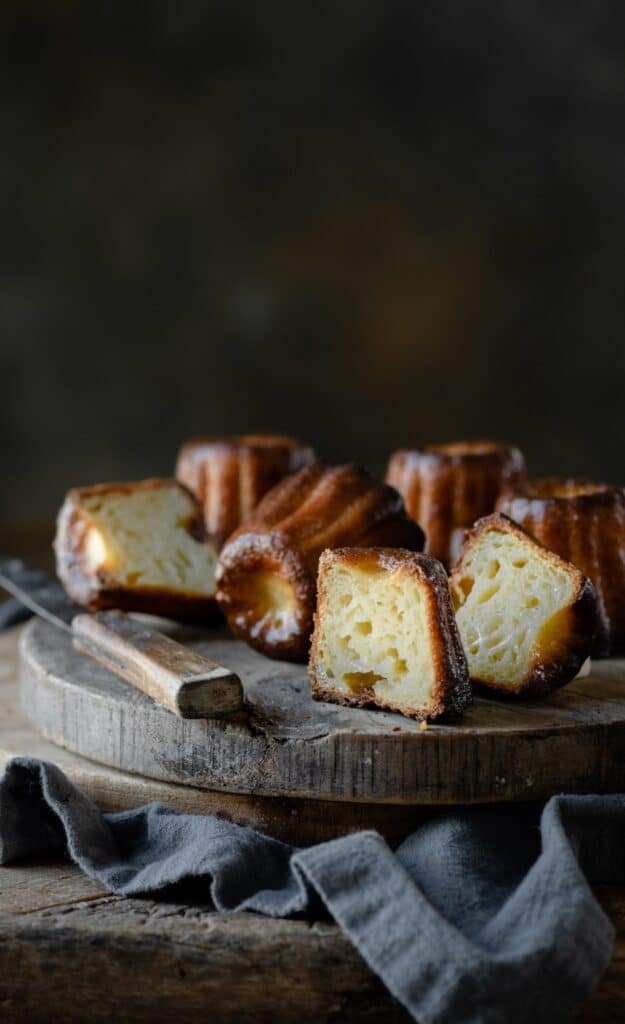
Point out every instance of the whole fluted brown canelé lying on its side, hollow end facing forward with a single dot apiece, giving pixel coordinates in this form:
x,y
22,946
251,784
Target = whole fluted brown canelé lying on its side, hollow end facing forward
x,y
281,543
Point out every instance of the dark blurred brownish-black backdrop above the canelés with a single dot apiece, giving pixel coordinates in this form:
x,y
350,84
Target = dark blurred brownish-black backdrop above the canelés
x,y
371,225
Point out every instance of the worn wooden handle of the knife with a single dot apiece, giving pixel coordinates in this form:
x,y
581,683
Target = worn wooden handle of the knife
x,y
177,677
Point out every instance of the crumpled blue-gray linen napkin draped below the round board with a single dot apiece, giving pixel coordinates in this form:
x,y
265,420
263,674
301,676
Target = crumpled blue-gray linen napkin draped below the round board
x,y
482,916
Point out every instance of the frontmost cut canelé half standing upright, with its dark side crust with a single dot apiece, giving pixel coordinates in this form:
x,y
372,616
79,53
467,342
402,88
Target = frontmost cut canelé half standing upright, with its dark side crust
x,y
386,634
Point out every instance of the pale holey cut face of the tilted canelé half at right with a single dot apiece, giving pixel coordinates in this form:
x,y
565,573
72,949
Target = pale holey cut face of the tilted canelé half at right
x,y
507,599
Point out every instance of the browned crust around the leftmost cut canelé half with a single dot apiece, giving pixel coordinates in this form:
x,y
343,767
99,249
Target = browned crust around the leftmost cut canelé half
x,y
99,591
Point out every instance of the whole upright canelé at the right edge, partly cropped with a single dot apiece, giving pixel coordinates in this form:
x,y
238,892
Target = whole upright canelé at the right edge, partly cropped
x,y
585,524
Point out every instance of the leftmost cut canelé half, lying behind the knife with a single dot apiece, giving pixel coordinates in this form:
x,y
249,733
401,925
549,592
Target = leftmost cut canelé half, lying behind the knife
x,y
141,547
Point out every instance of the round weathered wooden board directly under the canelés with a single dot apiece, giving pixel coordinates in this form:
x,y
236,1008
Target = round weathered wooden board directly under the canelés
x,y
284,744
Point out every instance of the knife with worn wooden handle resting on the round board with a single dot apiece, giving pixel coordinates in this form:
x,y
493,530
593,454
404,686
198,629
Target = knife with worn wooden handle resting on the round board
x,y
177,677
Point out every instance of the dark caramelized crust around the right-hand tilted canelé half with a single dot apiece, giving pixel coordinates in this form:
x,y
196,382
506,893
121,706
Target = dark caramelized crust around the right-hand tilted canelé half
x,y
562,655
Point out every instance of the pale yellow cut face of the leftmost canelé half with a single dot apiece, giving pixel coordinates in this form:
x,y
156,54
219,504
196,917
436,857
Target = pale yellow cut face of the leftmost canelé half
x,y
143,539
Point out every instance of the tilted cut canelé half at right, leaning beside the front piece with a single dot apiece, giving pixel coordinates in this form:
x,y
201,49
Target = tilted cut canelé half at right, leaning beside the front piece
x,y
526,617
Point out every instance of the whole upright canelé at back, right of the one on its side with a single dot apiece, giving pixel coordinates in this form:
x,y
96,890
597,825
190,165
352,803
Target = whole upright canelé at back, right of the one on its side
x,y
447,488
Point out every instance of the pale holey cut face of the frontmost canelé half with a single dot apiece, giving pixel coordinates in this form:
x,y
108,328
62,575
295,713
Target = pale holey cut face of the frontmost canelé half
x,y
373,635
